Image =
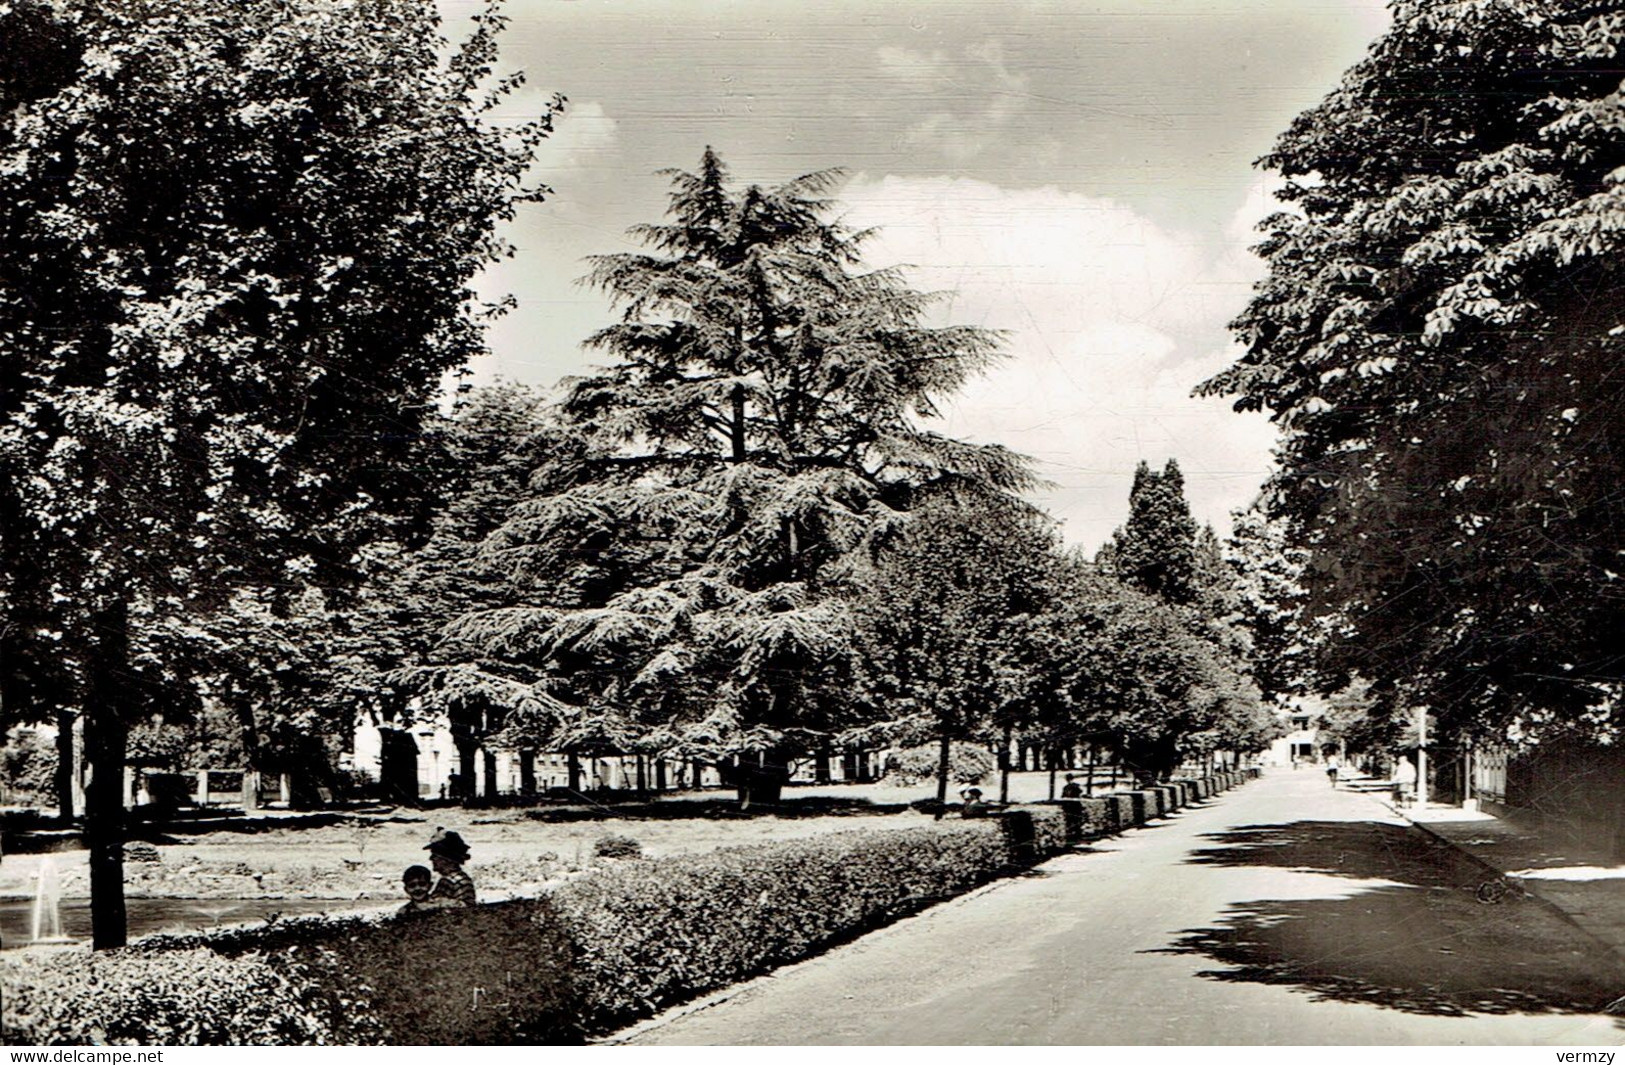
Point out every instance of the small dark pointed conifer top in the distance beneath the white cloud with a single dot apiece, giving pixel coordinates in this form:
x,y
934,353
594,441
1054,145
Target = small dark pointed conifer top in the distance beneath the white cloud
x,y
1156,549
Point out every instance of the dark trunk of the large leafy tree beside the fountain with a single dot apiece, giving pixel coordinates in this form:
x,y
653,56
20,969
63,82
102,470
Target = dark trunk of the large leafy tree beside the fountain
x,y
106,737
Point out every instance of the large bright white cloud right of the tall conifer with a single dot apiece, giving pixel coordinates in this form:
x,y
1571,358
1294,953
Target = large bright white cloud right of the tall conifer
x,y
1112,323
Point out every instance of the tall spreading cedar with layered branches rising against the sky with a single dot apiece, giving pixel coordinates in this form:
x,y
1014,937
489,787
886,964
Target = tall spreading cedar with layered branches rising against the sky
x,y
674,575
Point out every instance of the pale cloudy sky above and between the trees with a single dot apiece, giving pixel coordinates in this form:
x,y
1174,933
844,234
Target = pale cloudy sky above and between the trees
x,y
1077,173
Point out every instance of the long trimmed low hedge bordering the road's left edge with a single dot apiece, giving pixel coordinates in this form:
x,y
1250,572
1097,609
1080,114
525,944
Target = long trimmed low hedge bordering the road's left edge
x,y
597,952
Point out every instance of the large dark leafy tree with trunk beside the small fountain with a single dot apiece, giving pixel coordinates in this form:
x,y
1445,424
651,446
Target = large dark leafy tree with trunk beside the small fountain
x,y
238,246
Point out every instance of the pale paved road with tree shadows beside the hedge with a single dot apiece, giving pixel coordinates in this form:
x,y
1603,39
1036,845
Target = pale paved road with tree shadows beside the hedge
x,y
1281,913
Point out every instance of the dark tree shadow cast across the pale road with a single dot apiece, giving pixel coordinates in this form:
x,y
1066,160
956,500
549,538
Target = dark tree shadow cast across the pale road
x,y
1413,939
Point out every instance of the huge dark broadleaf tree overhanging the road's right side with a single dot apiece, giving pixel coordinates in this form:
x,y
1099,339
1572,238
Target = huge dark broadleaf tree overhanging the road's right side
x,y
1439,339
